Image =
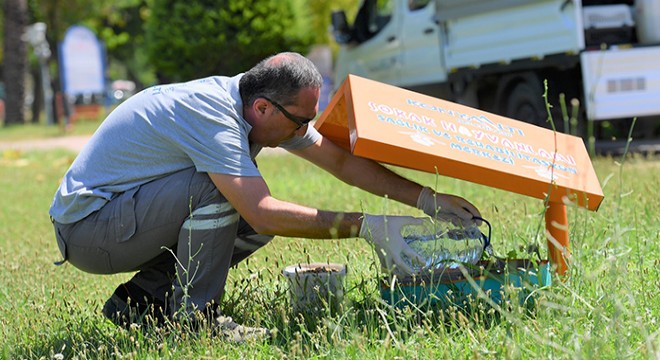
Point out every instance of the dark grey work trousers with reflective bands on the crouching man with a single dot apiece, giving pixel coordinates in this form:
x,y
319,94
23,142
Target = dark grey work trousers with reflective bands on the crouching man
x,y
142,230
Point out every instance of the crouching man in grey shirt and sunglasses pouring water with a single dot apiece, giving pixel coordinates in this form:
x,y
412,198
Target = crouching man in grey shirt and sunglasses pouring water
x,y
168,187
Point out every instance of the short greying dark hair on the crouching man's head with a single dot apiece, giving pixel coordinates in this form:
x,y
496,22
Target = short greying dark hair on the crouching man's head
x,y
279,77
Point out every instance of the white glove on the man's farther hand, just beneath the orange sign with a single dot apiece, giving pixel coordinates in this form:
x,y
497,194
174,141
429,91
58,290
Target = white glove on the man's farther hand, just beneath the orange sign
x,y
447,207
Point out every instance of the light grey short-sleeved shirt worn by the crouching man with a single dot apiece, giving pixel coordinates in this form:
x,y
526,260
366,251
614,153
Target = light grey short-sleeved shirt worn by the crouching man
x,y
159,131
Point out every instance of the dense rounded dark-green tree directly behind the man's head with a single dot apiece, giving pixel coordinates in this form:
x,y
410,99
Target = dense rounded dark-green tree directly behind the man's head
x,y
201,38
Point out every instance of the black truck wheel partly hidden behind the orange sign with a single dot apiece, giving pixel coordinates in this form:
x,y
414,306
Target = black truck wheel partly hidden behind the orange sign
x,y
527,104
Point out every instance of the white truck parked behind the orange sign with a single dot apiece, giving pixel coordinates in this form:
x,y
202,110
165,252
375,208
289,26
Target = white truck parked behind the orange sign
x,y
496,54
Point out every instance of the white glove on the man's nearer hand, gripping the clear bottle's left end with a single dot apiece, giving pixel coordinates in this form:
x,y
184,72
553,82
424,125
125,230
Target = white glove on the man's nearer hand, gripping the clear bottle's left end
x,y
385,233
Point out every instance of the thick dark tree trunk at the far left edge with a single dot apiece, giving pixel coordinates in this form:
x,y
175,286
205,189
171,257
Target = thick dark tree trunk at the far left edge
x,y
15,54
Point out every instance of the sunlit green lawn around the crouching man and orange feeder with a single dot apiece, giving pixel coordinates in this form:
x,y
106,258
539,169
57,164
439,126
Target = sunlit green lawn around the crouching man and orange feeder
x,y
607,308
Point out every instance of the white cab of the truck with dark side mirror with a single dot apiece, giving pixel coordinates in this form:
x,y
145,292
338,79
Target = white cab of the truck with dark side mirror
x,y
395,42
